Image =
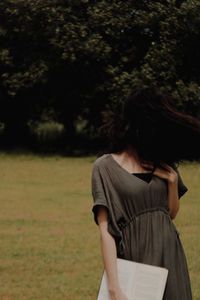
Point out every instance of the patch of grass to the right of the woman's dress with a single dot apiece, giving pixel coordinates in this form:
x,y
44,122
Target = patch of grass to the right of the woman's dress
x,y
188,223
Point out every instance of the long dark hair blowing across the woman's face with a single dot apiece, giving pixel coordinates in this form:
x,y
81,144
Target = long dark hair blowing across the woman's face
x,y
150,123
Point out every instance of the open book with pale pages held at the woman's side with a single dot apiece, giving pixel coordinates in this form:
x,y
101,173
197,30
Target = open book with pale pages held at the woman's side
x,y
138,281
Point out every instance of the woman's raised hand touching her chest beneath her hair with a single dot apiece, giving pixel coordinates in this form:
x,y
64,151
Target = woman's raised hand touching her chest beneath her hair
x,y
166,172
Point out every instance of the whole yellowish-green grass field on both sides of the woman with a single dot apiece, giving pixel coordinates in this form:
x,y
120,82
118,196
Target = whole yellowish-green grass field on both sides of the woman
x,y
49,243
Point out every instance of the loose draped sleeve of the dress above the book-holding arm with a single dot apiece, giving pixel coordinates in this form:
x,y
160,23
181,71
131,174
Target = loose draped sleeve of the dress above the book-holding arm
x,y
100,197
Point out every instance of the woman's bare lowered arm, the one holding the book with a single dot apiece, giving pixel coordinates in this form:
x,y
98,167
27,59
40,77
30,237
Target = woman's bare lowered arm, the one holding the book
x,y
109,254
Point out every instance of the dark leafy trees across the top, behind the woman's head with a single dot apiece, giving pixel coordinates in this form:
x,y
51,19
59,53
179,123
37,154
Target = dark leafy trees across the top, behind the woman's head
x,y
70,61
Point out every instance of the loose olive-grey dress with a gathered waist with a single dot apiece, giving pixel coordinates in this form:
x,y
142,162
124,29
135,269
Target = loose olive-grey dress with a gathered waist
x,y
139,221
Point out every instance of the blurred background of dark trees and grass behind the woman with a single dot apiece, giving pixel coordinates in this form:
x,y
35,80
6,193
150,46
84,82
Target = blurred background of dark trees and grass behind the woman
x,y
63,66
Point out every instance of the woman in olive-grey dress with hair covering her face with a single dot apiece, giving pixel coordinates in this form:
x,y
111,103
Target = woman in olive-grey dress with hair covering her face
x,y
136,188
